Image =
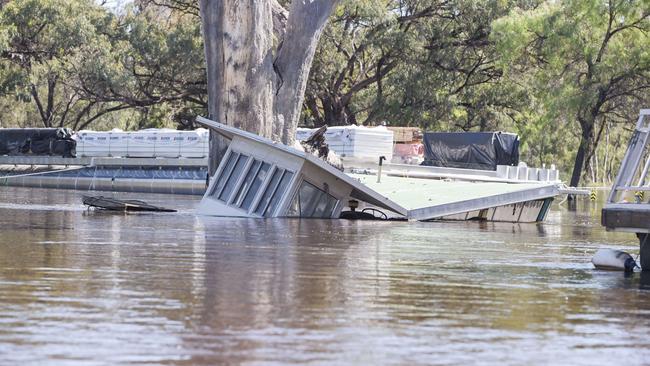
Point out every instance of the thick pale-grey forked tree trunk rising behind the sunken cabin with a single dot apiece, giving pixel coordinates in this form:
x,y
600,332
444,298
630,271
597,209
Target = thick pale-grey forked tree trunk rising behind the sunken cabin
x,y
258,60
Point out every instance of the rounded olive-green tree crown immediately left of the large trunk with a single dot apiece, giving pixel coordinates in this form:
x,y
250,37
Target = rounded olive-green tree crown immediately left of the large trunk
x,y
154,65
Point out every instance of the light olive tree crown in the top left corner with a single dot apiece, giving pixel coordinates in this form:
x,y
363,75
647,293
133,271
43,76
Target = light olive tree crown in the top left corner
x,y
40,39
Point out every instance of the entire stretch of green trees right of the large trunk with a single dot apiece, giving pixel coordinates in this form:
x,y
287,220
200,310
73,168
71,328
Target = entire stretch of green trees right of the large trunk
x,y
555,72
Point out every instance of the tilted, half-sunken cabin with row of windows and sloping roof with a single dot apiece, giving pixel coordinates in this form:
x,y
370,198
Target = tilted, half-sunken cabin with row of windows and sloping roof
x,y
260,178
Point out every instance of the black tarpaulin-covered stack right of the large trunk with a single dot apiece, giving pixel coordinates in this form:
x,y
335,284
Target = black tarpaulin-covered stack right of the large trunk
x,y
471,150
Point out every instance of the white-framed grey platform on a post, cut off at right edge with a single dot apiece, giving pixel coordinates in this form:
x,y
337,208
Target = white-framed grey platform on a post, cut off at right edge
x,y
628,205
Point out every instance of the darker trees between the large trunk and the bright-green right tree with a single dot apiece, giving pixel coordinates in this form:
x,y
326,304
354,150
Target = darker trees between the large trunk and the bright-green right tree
x,y
423,63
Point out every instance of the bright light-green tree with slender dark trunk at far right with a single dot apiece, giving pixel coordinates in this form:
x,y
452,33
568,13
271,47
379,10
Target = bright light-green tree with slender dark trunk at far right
x,y
590,62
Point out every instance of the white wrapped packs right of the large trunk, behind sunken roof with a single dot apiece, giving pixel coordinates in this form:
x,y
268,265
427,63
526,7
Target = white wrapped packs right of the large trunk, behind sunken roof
x,y
356,143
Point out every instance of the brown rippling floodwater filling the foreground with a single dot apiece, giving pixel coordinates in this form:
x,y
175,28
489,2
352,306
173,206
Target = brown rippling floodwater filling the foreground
x,y
82,287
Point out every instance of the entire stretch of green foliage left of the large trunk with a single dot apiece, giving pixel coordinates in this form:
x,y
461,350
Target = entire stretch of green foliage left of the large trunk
x,y
72,63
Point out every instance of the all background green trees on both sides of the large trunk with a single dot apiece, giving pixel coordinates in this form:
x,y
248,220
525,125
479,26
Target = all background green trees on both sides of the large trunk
x,y
568,76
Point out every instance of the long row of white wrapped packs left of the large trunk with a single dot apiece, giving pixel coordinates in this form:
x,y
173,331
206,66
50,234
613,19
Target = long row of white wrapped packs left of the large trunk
x,y
150,143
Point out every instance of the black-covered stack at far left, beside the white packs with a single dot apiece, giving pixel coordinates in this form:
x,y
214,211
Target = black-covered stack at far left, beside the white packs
x,y
37,141
